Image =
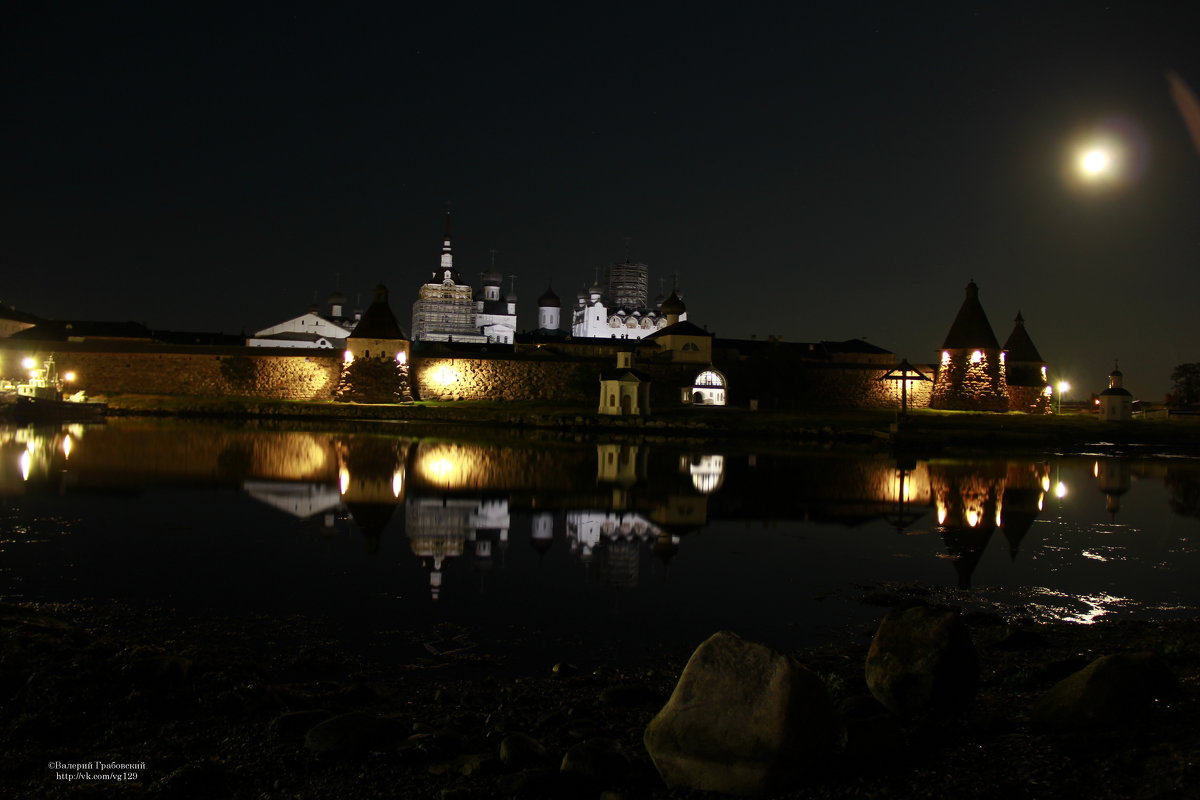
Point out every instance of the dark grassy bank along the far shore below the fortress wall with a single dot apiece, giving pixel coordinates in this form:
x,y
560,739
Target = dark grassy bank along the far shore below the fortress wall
x,y
923,431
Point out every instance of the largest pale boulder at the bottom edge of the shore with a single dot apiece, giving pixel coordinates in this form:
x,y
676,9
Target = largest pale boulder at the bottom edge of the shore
x,y
742,720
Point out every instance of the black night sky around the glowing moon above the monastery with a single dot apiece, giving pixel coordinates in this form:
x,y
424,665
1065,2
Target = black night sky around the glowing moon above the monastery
x,y
808,172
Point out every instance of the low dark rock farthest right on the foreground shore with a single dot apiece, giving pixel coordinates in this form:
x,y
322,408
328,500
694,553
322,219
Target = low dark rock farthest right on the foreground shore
x,y
1108,691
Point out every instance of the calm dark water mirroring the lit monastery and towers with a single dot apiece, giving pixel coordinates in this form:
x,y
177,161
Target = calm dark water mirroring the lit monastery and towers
x,y
604,552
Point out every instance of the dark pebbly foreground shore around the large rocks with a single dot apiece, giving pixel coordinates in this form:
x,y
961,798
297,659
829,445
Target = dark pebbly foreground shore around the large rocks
x,y
243,711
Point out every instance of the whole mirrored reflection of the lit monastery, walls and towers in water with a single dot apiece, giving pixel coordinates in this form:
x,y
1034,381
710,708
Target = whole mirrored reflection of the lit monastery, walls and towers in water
x,y
614,513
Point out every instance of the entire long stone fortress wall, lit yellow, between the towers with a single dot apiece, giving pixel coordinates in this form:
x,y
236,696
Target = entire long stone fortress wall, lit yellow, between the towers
x,y
113,368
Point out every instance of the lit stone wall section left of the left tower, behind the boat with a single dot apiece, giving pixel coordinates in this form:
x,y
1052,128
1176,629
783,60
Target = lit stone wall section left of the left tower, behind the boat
x,y
118,369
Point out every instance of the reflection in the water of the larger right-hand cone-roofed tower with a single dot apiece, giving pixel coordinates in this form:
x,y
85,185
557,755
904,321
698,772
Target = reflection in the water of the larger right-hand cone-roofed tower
x,y
969,510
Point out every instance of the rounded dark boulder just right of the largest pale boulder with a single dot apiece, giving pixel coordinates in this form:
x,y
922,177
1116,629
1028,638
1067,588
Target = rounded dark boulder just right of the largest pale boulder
x,y
922,660
